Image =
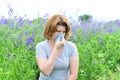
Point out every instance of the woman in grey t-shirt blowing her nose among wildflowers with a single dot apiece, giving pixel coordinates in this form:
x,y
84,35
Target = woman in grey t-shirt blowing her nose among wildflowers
x,y
57,60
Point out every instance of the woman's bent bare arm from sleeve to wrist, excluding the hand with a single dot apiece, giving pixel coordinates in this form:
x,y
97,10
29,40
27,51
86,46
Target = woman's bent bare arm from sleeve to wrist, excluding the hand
x,y
46,65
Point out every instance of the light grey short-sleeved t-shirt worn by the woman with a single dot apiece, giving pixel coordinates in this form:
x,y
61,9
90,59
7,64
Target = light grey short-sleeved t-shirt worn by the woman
x,y
61,69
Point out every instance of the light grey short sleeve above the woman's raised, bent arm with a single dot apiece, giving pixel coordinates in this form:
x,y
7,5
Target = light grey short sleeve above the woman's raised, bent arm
x,y
40,51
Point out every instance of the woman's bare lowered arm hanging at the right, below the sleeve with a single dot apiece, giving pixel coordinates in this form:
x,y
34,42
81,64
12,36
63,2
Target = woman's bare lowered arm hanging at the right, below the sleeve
x,y
74,65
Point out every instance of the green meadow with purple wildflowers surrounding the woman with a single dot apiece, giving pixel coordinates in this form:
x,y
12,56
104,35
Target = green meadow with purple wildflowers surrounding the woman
x,y
98,43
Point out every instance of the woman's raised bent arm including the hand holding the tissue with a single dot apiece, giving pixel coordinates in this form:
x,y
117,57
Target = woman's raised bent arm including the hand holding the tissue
x,y
46,65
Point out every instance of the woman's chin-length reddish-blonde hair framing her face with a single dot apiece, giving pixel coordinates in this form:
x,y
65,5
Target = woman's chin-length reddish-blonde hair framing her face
x,y
53,22
